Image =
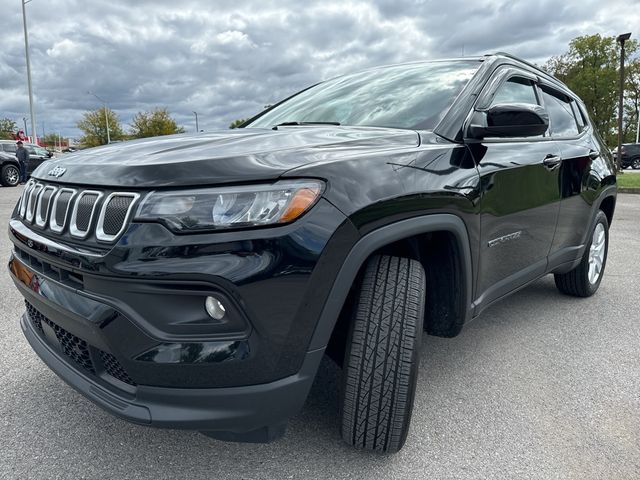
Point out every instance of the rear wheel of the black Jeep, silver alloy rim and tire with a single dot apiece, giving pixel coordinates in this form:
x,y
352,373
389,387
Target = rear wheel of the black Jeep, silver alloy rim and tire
x,y
578,281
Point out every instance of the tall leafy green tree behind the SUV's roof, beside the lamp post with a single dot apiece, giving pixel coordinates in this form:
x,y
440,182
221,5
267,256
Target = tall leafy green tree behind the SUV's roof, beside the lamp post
x,y
590,69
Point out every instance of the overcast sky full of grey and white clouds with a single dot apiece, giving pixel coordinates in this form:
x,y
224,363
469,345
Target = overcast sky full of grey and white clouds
x,y
227,59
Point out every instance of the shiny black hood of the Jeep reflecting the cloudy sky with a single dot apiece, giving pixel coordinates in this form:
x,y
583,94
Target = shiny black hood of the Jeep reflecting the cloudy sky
x,y
226,156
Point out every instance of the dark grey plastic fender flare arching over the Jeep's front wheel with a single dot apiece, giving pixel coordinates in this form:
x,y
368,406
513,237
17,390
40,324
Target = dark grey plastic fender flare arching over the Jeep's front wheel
x,y
377,239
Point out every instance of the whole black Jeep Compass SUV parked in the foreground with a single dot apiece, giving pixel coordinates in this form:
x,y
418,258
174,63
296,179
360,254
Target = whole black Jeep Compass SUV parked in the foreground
x,y
196,281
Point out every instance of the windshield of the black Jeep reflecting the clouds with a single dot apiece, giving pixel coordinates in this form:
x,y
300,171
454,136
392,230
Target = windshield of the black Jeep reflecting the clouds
x,y
414,96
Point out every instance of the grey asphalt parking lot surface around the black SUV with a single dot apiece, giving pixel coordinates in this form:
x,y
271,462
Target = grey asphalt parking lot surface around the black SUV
x,y
541,386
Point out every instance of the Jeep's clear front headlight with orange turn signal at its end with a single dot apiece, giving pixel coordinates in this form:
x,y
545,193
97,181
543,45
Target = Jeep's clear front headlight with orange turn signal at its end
x,y
231,207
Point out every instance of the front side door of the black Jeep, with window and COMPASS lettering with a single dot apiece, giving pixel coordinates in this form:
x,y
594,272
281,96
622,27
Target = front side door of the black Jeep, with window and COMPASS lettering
x,y
520,196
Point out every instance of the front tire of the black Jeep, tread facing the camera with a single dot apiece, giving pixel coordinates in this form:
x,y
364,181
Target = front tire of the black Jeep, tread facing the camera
x,y
382,354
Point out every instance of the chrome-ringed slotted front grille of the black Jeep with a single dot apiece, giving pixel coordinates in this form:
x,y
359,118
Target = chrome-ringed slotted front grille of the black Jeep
x,y
77,211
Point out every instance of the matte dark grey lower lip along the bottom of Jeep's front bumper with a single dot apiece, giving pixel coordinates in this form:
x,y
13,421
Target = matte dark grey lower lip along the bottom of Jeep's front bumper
x,y
235,410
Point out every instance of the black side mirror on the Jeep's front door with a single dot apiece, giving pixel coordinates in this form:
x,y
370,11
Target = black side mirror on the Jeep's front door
x,y
510,121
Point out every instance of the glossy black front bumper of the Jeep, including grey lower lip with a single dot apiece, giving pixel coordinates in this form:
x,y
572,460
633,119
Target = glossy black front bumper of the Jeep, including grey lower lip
x,y
97,312
